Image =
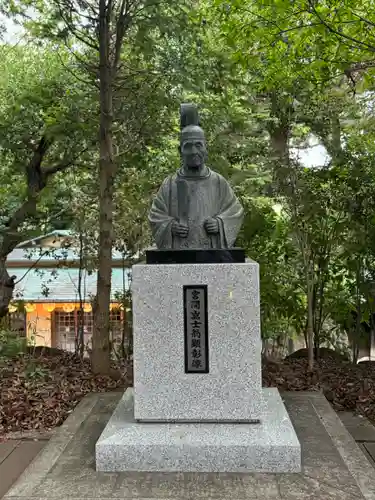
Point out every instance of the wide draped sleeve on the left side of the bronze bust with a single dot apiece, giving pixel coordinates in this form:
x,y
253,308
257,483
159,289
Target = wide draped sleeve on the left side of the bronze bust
x,y
159,218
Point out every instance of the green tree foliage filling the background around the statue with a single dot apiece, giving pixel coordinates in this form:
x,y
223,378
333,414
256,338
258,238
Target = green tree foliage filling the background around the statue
x,y
270,79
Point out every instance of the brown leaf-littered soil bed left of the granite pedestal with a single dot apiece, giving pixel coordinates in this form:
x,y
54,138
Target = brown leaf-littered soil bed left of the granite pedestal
x,y
38,392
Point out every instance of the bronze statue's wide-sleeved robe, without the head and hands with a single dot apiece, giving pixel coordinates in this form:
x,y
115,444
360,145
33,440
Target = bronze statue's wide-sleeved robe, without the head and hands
x,y
192,200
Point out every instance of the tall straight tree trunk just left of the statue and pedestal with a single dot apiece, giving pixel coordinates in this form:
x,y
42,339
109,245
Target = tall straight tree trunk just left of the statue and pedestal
x,y
107,171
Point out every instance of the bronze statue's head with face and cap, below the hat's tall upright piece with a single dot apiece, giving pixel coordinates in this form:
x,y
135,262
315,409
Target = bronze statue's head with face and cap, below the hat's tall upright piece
x,y
193,148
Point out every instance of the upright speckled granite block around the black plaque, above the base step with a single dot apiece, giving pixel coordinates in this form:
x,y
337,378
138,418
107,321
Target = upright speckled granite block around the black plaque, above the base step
x,y
231,391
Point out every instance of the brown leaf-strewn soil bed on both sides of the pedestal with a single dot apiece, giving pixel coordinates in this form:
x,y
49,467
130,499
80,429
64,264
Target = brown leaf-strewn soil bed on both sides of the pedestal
x,y
38,392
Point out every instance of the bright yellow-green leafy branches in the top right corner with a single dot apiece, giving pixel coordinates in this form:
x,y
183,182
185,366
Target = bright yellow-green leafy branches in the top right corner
x,y
303,40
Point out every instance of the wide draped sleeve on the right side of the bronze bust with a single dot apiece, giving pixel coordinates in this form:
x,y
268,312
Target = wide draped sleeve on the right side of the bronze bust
x,y
230,215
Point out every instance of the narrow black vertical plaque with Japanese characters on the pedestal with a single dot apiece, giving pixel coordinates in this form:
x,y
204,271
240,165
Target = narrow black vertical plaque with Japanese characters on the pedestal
x,y
196,329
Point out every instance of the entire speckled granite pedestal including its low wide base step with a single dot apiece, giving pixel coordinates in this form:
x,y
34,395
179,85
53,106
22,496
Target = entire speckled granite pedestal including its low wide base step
x,y
181,417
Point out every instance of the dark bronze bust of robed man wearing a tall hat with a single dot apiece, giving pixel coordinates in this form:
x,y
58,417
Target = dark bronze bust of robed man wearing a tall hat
x,y
195,207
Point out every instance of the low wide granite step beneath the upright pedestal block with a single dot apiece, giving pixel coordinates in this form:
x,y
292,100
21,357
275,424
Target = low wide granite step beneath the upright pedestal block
x,y
270,446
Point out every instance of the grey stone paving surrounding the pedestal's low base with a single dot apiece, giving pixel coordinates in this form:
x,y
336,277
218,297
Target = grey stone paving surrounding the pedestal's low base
x,y
333,465
